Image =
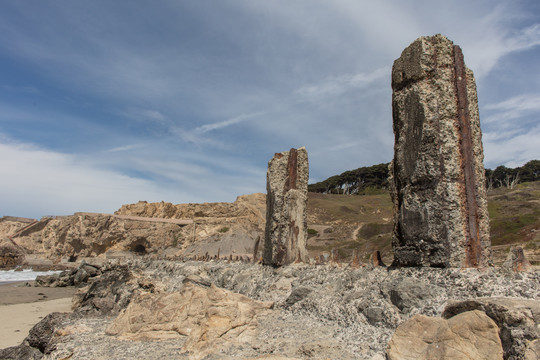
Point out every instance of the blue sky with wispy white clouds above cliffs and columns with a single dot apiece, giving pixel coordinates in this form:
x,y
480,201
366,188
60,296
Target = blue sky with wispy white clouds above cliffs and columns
x,y
104,103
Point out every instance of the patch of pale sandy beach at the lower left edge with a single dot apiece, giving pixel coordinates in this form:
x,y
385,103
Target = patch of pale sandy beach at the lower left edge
x,y
21,307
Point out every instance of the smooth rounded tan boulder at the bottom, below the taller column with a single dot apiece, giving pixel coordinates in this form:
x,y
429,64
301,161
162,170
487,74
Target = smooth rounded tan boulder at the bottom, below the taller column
x,y
471,335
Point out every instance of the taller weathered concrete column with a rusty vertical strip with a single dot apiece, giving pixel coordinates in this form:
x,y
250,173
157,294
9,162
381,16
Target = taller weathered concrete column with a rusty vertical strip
x,y
437,175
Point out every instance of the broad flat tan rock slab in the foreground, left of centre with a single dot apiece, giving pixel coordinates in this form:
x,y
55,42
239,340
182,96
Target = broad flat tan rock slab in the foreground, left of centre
x,y
211,318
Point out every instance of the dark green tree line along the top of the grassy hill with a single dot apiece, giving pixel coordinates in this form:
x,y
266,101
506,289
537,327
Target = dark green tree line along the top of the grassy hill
x,y
365,179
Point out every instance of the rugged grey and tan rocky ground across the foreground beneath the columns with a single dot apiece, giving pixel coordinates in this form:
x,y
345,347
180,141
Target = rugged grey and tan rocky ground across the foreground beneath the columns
x,y
316,312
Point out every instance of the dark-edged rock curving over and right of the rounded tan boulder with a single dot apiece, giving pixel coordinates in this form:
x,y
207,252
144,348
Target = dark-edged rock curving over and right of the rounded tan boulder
x,y
518,319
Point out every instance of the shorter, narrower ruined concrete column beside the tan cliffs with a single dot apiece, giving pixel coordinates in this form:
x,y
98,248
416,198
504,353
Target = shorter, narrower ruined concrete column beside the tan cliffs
x,y
285,237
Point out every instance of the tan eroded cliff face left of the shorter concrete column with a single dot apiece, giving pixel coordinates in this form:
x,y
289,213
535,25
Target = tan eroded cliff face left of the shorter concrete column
x,y
143,228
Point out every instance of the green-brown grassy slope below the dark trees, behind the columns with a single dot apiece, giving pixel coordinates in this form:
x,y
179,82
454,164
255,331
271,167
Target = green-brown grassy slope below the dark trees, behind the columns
x,y
346,222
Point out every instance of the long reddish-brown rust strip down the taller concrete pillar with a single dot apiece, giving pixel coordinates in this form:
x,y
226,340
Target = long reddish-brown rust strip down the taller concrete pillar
x,y
473,244
